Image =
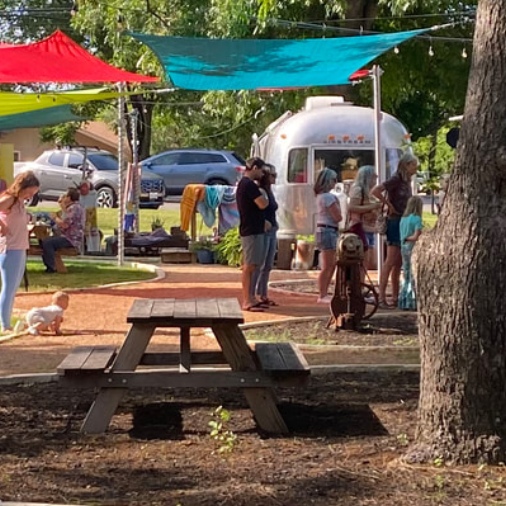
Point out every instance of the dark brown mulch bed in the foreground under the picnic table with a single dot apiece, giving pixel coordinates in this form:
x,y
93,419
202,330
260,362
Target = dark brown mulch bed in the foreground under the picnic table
x,y
347,434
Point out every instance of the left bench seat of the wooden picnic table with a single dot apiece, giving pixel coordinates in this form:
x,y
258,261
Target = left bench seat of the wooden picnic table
x,y
87,360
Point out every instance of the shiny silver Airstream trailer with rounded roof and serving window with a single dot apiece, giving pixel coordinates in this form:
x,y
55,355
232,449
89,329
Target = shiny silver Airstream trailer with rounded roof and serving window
x,y
328,132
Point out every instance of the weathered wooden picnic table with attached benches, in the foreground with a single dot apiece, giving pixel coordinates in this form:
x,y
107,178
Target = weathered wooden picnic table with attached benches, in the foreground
x,y
234,365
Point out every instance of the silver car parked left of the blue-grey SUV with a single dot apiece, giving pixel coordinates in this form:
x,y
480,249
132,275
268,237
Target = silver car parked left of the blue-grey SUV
x,y
59,169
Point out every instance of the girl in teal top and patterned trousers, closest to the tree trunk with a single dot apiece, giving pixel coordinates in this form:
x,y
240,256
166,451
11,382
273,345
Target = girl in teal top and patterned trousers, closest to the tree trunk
x,y
410,229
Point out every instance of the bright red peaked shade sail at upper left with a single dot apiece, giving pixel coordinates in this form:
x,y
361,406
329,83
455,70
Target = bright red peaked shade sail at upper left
x,y
58,59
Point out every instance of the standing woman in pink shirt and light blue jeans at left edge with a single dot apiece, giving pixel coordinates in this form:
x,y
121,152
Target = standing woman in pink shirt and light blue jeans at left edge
x,y
13,240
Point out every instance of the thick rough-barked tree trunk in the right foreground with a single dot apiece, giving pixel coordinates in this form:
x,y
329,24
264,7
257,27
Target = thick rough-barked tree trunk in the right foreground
x,y
461,275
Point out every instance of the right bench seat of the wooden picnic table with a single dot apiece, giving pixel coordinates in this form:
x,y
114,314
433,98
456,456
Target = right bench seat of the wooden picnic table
x,y
284,362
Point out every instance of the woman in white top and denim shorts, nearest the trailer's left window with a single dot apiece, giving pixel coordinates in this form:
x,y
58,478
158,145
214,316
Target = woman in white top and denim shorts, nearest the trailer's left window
x,y
327,228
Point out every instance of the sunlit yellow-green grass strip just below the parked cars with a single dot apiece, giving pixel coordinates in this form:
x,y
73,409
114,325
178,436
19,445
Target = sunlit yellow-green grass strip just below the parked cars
x,y
108,219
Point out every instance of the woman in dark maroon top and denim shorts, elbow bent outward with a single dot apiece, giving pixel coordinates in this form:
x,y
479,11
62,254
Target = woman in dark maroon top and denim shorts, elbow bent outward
x,y
394,193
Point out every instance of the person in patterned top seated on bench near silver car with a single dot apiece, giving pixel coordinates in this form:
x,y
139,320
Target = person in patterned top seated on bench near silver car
x,y
72,230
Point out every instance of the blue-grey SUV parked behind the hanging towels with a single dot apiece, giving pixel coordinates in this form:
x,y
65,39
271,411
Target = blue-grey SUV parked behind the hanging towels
x,y
180,167
